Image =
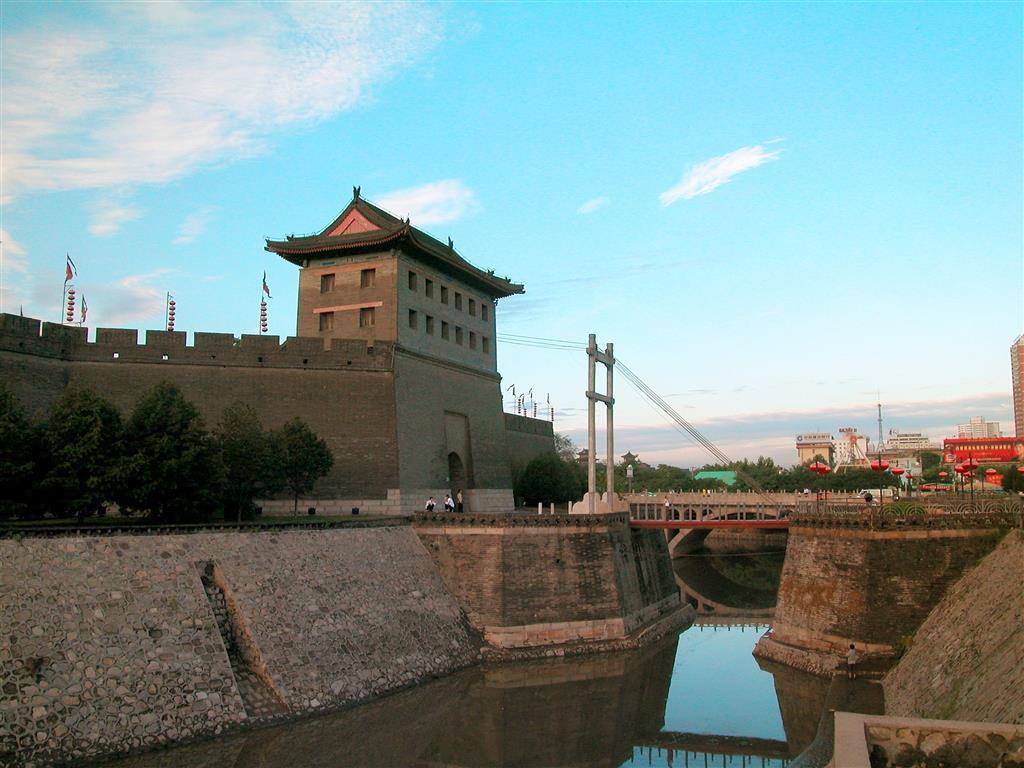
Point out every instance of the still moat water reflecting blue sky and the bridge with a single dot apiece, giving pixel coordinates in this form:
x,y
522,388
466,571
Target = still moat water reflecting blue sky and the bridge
x,y
697,699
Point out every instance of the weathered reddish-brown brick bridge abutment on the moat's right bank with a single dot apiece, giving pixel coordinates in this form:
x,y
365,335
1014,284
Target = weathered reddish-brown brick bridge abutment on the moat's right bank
x,y
849,583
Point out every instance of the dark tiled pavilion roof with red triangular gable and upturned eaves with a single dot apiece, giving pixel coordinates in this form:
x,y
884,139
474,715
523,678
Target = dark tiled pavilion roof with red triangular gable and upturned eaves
x,y
364,228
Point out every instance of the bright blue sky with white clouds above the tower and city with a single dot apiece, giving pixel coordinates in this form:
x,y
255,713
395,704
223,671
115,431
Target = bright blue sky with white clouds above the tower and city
x,y
774,210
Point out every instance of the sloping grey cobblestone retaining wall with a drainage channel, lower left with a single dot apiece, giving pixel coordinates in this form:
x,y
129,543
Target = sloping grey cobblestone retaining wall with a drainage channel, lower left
x,y
112,644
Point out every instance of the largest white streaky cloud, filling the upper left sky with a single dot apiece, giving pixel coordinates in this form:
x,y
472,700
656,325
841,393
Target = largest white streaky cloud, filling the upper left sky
x,y
149,93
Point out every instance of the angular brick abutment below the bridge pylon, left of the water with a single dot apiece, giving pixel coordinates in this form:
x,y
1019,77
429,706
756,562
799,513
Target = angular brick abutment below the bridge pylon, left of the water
x,y
540,585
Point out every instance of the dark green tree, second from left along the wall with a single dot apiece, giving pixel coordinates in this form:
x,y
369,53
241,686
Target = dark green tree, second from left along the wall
x,y
83,438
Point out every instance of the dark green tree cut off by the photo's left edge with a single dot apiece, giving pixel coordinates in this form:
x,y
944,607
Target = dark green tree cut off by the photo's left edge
x,y
22,458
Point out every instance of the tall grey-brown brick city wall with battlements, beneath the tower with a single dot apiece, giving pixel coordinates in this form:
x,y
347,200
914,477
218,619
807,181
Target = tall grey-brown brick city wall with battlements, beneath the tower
x,y
382,411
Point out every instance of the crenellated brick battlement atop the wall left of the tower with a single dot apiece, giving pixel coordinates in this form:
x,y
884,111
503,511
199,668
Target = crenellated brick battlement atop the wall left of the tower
x,y
117,346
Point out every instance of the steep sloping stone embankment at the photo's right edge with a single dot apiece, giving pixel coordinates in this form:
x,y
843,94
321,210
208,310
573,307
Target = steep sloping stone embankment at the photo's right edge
x,y
965,663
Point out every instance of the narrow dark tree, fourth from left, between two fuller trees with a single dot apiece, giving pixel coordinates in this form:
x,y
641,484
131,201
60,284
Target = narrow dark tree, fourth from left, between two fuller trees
x,y
246,452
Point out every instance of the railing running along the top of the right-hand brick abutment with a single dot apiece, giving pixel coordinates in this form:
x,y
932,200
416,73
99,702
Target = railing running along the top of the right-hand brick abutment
x,y
925,513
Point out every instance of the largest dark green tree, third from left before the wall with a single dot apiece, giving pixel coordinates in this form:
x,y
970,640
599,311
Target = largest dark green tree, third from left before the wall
x,y
170,467
